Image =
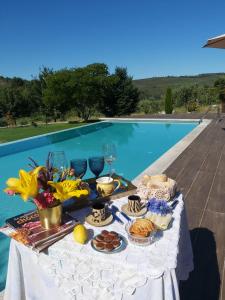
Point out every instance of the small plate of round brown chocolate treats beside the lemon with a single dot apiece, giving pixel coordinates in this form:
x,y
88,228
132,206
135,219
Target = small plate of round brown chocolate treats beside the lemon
x,y
107,241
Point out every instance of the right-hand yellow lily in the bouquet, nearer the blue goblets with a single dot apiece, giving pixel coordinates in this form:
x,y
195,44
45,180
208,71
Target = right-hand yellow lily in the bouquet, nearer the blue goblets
x,y
67,189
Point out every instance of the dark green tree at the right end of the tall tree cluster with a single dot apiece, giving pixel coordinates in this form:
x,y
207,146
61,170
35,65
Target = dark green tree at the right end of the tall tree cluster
x,y
120,95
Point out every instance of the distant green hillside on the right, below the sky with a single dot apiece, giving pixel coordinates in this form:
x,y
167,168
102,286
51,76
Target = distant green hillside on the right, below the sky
x,y
155,87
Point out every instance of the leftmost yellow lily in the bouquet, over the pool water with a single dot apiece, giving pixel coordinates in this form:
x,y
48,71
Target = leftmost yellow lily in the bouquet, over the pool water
x,y
26,185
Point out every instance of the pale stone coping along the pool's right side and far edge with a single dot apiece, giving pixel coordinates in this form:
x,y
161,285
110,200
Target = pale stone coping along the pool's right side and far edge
x,y
165,160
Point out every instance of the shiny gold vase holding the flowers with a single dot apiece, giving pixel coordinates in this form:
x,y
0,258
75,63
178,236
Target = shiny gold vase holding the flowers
x,y
51,217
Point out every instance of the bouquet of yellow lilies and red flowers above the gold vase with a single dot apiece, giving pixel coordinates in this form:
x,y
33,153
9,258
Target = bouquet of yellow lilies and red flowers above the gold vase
x,y
38,185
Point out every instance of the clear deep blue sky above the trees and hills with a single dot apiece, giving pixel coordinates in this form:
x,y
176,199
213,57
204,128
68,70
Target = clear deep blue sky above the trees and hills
x,y
150,38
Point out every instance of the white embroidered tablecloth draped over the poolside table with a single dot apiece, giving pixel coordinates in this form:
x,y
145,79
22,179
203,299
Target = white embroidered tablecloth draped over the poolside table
x,y
73,271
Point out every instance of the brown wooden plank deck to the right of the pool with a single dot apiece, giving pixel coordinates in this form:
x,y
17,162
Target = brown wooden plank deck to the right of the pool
x,y
200,174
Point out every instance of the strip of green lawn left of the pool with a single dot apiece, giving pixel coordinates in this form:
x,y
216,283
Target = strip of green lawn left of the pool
x,y
12,134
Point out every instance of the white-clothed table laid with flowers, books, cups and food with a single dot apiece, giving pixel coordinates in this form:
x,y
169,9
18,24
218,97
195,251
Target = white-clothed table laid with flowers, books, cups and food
x,y
127,242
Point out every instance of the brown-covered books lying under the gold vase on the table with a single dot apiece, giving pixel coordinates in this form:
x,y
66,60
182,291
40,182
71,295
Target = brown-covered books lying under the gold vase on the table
x,y
26,229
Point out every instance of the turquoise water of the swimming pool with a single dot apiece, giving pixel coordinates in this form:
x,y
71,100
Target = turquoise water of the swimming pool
x,y
138,145
